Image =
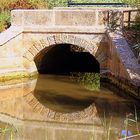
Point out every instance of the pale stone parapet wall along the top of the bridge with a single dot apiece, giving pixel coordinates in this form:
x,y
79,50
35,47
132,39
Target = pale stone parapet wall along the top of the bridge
x,y
59,18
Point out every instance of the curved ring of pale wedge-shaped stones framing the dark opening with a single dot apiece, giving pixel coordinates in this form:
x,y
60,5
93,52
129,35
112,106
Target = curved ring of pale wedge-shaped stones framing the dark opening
x,y
37,46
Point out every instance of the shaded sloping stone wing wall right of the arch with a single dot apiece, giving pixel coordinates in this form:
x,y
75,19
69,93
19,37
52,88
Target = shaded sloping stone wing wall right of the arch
x,y
124,66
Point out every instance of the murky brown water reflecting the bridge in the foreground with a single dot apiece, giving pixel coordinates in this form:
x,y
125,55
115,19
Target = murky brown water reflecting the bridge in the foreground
x,y
58,108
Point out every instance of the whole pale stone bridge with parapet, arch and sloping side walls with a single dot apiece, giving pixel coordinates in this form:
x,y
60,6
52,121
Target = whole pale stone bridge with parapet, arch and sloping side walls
x,y
35,32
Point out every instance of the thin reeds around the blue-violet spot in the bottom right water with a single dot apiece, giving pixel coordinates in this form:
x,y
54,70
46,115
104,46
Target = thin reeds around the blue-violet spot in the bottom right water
x,y
128,130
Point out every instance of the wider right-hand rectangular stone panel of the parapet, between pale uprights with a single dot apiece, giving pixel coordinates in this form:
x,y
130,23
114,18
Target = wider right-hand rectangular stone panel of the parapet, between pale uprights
x,y
75,18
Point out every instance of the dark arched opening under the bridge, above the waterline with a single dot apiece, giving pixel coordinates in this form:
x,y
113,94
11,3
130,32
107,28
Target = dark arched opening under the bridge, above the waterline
x,y
64,59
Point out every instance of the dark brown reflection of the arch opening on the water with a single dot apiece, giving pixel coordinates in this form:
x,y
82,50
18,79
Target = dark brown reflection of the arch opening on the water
x,y
61,93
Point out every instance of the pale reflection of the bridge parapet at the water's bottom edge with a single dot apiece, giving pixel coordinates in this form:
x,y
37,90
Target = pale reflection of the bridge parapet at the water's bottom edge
x,y
40,130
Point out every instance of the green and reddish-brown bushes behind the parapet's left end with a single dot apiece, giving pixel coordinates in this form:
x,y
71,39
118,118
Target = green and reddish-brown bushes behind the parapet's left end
x,y
7,5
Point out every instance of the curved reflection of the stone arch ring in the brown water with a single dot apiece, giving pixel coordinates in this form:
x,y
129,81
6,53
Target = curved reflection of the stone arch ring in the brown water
x,y
87,115
